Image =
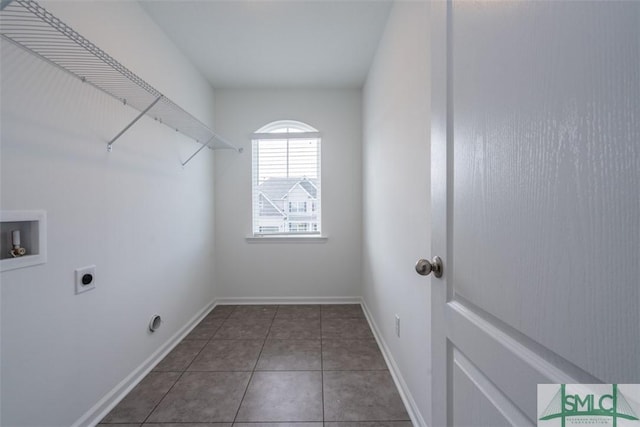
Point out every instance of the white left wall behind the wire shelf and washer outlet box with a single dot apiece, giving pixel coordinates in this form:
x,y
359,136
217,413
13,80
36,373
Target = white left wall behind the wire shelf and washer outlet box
x,y
145,222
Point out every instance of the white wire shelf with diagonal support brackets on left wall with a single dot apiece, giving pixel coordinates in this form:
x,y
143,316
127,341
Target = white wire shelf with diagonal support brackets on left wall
x,y
31,27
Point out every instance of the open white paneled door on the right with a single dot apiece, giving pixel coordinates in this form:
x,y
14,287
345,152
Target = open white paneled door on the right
x,y
536,203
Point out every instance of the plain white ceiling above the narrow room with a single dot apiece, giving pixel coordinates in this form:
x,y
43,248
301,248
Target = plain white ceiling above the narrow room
x,y
275,43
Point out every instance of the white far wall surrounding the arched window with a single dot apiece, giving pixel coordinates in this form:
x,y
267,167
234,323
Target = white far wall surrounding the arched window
x,y
280,270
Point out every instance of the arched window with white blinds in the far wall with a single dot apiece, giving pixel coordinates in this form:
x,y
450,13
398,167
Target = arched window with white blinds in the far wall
x,y
286,179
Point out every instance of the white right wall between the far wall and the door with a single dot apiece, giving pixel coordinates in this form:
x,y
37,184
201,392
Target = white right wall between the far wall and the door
x,y
396,187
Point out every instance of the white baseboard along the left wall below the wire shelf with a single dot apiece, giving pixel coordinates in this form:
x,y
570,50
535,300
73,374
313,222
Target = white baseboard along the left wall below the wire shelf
x,y
112,398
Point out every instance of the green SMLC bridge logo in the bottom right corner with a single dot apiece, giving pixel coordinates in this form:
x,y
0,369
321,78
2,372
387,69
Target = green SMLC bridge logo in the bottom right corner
x,y
565,405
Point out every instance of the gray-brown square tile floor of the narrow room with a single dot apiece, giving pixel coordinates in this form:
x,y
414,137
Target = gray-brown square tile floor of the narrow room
x,y
269,365
